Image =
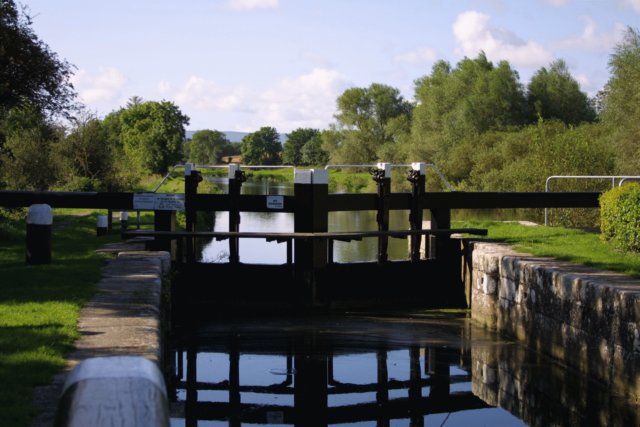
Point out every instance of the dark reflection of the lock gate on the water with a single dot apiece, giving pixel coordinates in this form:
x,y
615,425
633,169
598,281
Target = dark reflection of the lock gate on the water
x,y
317,395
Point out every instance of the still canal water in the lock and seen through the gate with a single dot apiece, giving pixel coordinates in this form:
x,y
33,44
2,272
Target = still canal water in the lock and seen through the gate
x,y
366,369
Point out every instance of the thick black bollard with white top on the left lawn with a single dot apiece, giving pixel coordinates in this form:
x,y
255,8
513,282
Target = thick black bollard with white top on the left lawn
x,y
39,224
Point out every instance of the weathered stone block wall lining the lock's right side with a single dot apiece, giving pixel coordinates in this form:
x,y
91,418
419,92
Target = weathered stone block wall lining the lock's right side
x,y
586,318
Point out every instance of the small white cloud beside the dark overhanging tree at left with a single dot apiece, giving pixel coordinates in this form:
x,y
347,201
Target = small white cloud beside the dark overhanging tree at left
x,y
100,87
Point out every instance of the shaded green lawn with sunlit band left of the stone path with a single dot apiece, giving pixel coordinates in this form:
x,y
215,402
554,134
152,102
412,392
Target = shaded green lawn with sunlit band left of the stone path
x,y
39,307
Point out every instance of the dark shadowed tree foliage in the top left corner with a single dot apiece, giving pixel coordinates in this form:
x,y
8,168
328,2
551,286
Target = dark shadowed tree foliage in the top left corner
x,y
30,73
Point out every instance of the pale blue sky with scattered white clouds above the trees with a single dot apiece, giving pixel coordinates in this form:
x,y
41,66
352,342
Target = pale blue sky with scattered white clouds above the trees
x,y
239,65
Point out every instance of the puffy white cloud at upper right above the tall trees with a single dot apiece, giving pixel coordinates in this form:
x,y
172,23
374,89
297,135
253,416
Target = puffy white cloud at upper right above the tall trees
x,y
473,35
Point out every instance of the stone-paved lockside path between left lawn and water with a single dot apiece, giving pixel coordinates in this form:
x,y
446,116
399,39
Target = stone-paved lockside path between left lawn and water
x,y
123,318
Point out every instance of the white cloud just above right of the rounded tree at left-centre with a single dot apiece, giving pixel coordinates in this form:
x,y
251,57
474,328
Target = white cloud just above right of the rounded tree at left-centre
x,y
202,94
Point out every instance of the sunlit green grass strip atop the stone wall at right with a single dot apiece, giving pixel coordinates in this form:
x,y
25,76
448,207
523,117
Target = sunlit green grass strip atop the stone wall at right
x,y
567,244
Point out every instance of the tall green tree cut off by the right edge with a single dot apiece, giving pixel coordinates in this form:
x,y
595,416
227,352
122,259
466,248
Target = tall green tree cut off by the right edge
x,y
621,102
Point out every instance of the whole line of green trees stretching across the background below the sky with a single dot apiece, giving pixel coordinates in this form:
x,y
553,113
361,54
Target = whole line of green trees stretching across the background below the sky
x,y
475,120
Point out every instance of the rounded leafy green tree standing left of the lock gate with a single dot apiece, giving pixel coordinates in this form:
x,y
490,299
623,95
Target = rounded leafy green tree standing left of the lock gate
x,y
152,134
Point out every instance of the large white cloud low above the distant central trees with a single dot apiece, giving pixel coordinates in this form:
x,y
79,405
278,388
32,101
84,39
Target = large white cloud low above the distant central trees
x,y
305,101
